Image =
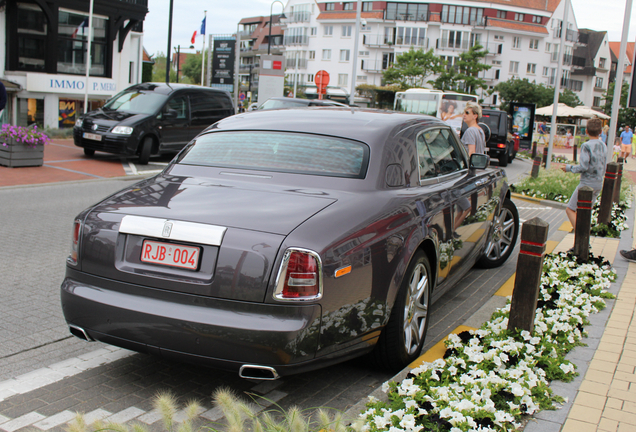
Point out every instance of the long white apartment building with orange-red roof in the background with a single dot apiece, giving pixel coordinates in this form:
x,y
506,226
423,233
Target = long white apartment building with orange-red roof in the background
x,y
522,38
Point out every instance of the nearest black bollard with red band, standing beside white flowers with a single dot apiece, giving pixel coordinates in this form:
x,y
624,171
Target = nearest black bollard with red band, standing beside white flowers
x,y
534,234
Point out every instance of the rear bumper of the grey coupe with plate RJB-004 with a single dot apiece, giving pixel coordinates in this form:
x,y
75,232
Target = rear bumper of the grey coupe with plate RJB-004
x,y
220,333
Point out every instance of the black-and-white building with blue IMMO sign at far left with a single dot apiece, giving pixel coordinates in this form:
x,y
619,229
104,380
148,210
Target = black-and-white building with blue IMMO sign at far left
x,y
45,56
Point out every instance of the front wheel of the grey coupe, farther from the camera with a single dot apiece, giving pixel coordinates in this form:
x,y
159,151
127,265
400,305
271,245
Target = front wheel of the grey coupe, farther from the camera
x,y
503,237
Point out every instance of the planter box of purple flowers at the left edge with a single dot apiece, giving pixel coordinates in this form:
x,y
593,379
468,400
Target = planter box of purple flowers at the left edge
x,y
21,146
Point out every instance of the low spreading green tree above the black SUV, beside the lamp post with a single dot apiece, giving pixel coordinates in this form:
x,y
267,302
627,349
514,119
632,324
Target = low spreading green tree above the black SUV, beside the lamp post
x,y
522,90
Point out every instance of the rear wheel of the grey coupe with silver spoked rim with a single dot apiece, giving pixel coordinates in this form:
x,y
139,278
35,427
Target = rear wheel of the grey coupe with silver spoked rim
x,y
402,339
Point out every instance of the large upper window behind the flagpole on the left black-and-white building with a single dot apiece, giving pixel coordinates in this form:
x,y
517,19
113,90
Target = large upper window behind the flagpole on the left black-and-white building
x,y
71,46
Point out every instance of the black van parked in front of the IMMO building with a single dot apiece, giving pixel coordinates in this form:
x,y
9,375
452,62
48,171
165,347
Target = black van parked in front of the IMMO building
x,y
151,118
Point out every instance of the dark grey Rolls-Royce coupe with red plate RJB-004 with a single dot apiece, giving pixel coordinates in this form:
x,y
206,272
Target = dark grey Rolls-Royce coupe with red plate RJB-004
x,y
280,241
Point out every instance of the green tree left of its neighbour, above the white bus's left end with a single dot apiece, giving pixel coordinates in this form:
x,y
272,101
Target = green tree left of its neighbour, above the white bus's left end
x,y
412,68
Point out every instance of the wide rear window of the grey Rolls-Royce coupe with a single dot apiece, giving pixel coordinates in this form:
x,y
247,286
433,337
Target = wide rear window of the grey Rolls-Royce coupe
x,y
280,152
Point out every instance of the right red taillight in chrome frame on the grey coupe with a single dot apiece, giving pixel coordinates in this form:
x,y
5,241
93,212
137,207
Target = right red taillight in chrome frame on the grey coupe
x,y
299,277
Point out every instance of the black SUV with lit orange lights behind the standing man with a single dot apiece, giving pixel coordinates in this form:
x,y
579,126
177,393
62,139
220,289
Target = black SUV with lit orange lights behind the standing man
x,y
502,143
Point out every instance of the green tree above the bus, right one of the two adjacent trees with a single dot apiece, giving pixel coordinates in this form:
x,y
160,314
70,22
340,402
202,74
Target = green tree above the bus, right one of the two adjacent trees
x,y
464,75
